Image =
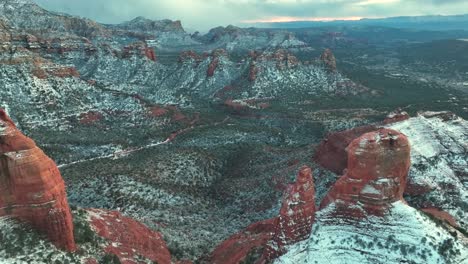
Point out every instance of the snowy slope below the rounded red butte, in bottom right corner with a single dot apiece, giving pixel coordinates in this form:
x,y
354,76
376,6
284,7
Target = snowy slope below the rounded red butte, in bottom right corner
x,y
403,235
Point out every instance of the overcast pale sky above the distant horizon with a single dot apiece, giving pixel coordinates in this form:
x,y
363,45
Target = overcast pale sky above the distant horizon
x,y
205,14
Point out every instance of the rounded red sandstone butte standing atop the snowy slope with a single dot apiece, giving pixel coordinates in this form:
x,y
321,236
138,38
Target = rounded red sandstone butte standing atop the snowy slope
x,y
378,165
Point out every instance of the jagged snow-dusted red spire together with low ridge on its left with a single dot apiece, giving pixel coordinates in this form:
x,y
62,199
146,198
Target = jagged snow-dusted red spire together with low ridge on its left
x,y
264,241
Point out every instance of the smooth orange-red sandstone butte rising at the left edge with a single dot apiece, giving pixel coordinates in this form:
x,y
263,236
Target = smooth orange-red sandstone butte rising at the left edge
x,y
31,187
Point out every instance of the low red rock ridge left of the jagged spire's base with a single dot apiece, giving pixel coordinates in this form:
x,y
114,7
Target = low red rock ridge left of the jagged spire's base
x,y
249,242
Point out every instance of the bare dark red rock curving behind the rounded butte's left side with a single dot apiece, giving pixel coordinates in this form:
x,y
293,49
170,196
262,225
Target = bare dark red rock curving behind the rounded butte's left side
x,y
331,153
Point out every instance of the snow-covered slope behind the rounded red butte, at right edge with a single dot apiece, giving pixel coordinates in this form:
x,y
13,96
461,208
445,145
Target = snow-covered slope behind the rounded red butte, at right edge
x,y
439,157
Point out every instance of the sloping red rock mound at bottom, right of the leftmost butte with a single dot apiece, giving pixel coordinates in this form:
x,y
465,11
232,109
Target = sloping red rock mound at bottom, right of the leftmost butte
x,y
128,239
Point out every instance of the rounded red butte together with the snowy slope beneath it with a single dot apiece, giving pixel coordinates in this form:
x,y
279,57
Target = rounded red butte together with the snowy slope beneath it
x,y
364,218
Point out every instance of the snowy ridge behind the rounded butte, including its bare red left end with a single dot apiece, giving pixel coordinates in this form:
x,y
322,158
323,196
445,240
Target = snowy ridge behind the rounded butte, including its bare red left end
x,y
438,156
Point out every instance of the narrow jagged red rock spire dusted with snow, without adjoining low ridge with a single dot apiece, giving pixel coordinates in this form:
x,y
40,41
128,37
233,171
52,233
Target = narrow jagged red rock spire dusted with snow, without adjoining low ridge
x,y
296,217
